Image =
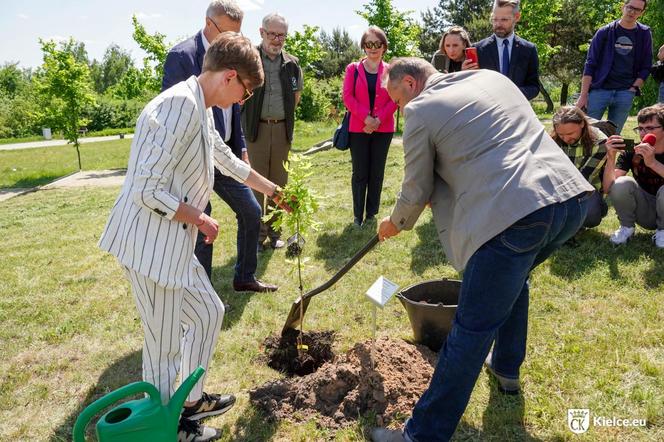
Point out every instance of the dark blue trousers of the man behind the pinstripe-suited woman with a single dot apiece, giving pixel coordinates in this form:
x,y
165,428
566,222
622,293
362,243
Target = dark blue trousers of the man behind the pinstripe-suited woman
x,y
248,213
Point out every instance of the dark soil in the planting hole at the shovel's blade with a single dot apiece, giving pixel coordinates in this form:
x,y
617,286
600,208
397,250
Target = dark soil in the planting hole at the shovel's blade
x,y
282,354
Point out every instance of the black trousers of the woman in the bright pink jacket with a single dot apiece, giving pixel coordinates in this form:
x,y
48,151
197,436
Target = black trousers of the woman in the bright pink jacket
x,y
369,154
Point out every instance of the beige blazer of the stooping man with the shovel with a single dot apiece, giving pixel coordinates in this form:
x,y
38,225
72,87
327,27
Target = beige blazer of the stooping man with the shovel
x,y
475,149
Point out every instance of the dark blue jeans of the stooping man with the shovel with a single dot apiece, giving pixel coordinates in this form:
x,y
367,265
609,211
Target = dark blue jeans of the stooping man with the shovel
x,y
492,309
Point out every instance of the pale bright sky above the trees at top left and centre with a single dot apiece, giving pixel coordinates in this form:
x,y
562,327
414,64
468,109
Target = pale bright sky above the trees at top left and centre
x,y
99,23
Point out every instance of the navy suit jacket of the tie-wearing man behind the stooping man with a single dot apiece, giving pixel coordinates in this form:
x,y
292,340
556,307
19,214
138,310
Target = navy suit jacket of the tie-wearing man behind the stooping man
x,y
524,63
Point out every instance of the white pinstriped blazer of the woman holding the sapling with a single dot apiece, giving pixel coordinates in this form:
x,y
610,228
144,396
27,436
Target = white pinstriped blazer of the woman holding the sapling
x,y
172,159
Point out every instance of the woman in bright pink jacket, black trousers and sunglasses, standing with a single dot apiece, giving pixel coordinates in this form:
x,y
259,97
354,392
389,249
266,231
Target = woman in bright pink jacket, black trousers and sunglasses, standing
x,y
371,124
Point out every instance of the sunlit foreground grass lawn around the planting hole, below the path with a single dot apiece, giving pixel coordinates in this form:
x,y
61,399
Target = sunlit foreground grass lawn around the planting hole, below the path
x,y
69,331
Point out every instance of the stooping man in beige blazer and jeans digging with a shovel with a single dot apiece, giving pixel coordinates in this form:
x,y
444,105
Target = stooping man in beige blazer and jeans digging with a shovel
x,y
503,196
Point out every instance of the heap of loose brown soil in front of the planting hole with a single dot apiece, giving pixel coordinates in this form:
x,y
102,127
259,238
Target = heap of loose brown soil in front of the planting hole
x,y
342,390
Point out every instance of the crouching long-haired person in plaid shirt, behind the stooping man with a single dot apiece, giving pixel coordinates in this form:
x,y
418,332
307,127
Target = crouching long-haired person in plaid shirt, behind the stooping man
x,y
584,146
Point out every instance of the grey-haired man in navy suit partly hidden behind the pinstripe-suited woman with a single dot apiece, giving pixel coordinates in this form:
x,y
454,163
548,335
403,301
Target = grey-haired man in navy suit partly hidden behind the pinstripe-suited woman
x,y
183,61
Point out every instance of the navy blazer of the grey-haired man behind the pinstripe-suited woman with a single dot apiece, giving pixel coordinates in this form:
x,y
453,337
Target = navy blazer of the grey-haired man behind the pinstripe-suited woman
x,y
185,60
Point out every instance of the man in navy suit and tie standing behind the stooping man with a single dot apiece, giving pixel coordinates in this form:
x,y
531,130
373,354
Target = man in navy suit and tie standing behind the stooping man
x,y
507,53
